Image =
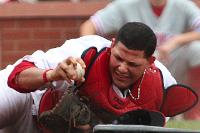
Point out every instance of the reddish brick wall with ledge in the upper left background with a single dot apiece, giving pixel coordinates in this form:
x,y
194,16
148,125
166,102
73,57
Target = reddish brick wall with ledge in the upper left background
x,y
25,28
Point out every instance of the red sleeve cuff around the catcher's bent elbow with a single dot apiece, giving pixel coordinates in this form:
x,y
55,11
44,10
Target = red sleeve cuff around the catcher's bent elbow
x,y
19,68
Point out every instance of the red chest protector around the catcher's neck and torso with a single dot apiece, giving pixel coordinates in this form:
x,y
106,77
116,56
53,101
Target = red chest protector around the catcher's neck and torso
x,y
98,87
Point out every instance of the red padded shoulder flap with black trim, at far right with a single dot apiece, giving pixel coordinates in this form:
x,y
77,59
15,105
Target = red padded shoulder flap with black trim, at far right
x,y
178,99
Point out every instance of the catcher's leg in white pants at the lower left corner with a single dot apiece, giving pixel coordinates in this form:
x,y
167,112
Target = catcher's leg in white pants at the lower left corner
x,y
15,111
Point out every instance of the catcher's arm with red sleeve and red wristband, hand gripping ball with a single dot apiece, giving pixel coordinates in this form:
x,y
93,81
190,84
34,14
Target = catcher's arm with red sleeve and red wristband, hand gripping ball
x,y
30,79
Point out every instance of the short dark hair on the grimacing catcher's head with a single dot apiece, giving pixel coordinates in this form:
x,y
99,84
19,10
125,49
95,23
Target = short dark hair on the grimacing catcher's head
x,y
137,36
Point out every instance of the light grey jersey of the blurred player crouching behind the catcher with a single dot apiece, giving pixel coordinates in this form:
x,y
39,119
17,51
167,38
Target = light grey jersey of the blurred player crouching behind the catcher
x,y
177,17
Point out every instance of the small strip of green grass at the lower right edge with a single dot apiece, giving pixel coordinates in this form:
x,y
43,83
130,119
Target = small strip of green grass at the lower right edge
x,y
191,125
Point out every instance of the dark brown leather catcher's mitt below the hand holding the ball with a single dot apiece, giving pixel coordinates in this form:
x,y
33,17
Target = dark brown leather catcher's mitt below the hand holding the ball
x,y
68,113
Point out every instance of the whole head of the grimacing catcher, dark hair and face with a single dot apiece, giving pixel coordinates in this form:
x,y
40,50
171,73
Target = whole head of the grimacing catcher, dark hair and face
x,y
131,53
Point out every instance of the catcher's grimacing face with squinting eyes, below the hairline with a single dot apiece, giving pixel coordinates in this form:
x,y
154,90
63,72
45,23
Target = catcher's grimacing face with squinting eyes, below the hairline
x,y
126,66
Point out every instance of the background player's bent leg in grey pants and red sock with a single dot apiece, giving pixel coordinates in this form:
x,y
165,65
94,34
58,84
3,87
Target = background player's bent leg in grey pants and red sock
x,y
185,67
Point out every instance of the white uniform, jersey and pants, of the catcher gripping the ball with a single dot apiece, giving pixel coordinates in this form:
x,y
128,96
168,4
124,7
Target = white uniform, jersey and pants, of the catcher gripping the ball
x,y
15,108
